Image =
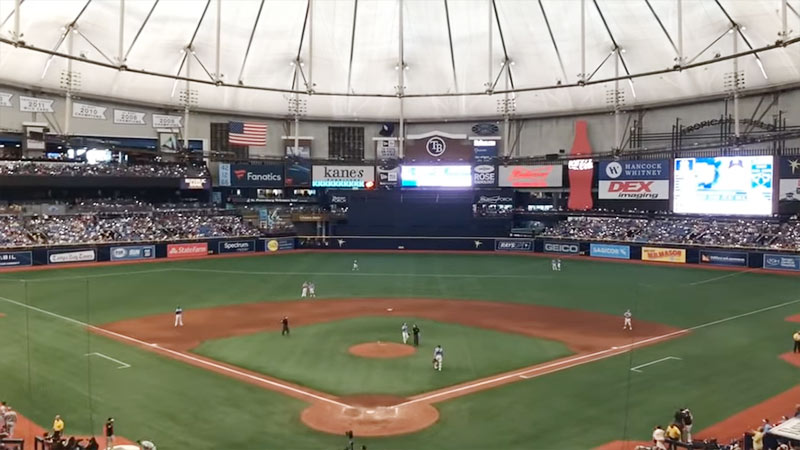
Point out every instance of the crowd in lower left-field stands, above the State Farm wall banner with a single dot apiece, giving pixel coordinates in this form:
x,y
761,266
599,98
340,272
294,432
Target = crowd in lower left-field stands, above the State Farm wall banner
x,y
92,228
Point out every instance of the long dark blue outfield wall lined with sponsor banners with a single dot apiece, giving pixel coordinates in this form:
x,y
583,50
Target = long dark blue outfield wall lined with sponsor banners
x,y
143,251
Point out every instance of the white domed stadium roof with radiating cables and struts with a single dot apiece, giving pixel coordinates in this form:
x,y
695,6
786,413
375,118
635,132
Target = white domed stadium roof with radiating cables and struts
x,y
252,55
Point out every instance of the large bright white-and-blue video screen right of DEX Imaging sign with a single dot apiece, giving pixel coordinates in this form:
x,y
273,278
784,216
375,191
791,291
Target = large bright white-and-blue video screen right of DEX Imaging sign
x,y
730,185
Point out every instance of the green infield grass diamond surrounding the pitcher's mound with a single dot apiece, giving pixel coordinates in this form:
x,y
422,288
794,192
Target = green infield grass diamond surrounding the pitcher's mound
x,y
316,356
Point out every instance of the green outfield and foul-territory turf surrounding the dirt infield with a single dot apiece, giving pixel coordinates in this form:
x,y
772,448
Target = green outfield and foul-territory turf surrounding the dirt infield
x,y
725,366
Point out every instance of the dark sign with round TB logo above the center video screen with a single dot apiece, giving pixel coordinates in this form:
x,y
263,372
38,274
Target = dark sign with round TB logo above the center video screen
x,y
438,146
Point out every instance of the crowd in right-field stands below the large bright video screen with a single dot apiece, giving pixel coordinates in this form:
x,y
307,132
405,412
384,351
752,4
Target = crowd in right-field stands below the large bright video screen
x,y
745,233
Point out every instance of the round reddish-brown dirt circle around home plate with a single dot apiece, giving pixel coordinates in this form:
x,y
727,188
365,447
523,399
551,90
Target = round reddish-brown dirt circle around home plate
x,y
370,416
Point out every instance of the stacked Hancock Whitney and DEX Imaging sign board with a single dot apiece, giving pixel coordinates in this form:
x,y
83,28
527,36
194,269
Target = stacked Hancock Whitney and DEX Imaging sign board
x,y
634,180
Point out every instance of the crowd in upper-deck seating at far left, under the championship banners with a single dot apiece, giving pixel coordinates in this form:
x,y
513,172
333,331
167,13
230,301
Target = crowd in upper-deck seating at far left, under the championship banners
x,y
49,168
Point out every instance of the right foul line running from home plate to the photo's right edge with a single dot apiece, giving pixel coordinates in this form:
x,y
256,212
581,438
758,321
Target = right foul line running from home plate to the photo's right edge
x,y
584,359
